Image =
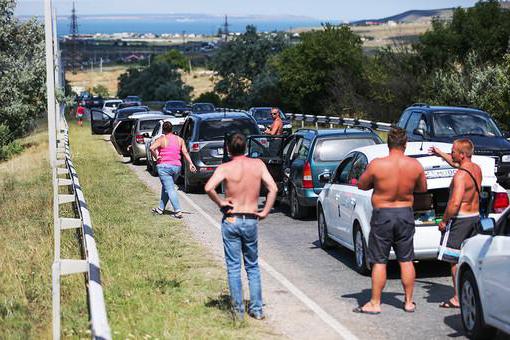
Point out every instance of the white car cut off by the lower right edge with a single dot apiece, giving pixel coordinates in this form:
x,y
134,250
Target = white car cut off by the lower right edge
x,y
483,280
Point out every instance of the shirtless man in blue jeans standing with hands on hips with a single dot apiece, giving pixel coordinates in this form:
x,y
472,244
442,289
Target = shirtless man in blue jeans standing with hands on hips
x,y
242,178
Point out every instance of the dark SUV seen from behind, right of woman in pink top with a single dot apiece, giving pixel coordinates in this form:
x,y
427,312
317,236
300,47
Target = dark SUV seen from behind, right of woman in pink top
x,y
204,135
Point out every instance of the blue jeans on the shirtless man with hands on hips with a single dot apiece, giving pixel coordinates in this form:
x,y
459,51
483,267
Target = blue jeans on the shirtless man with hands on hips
x,y
240,240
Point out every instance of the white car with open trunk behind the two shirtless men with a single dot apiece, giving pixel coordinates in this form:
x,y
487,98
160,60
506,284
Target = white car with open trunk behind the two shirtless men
x,y
344,211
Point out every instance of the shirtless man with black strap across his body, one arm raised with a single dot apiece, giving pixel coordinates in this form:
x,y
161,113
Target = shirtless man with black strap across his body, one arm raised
x,y
461,219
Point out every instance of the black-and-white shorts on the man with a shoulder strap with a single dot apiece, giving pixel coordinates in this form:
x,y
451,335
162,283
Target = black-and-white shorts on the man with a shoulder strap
x,y
457,231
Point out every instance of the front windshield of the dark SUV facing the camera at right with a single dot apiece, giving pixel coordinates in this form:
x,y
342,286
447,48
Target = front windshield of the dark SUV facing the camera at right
x,y
447,124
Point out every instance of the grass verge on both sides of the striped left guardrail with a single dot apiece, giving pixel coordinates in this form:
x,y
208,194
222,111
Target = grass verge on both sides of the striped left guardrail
x,y
158,282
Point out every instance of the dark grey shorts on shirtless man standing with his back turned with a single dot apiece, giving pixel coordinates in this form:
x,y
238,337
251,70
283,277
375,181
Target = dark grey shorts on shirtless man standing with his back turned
x,y
391,227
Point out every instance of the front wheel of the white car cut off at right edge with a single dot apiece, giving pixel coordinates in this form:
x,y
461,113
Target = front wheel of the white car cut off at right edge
x,y
471,309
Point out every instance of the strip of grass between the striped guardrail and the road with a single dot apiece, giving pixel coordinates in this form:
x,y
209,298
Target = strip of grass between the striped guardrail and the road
x,y
158,282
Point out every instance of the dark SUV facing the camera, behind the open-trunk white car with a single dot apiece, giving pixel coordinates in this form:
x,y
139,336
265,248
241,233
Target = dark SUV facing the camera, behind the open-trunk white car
x,y
447,123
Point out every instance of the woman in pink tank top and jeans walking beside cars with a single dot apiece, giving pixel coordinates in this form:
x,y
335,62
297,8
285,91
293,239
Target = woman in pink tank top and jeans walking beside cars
x,y
167,149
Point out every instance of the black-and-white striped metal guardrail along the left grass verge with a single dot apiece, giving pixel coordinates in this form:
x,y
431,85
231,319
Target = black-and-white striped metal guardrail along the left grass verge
x,y
67,176
